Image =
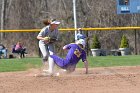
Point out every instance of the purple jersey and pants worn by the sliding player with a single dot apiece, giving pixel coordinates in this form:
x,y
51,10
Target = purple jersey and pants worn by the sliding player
x,y
75,53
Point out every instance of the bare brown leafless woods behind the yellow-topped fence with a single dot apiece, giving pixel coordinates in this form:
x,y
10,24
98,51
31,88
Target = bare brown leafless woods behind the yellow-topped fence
x,y
28,14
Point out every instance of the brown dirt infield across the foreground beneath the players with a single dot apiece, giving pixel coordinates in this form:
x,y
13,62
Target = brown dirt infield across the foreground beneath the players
x,y
99,80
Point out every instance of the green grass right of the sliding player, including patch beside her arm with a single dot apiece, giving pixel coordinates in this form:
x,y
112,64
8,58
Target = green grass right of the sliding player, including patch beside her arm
x,y
109,61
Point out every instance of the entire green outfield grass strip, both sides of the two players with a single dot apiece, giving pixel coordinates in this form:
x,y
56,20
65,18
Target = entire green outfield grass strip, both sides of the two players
x,y
7,65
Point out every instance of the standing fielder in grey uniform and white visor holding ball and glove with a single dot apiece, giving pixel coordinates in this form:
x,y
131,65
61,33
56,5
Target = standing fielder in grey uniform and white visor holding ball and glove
x,y
47,36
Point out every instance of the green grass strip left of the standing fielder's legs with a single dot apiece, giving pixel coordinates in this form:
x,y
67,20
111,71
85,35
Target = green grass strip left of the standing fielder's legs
x,y
8,65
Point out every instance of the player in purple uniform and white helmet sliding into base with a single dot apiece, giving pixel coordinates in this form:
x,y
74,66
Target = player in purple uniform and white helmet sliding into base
x,y
75,53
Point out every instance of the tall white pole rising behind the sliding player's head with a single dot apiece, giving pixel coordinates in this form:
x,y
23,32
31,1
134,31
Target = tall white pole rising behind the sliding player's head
x,y
74,15
